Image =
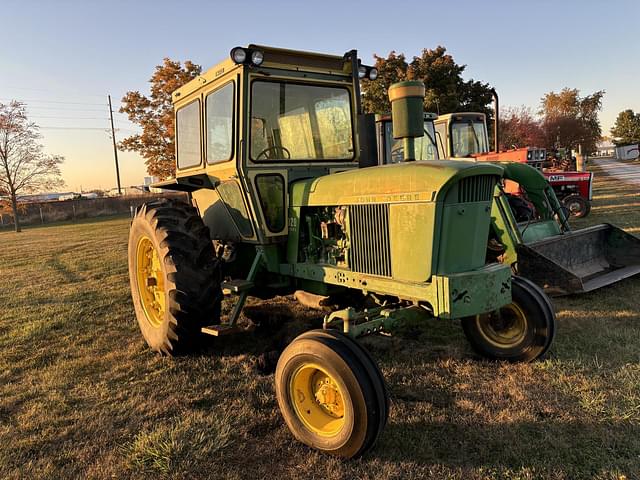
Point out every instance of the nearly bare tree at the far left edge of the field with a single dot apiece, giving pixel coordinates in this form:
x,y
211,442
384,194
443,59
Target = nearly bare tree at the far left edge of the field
x,y
24,167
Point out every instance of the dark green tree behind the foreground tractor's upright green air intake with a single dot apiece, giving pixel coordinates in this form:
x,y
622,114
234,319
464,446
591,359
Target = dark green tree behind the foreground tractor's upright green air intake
x,y
446,91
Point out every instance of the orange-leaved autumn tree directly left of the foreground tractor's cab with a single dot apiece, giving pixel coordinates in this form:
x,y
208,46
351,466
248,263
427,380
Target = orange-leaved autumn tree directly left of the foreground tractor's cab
x,y
154,114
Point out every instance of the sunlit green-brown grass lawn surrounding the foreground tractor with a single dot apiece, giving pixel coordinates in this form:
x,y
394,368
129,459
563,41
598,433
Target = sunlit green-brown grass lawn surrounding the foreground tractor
x,y
81,396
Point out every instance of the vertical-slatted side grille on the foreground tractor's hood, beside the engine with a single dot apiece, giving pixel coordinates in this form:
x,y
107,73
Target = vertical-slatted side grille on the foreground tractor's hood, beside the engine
x,y
370,250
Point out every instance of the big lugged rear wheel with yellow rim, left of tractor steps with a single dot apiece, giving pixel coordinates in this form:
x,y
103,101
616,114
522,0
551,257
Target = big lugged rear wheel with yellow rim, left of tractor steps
x,y
174,276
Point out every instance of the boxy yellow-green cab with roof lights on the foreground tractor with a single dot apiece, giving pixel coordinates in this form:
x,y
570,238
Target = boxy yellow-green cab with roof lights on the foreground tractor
x,y
255,123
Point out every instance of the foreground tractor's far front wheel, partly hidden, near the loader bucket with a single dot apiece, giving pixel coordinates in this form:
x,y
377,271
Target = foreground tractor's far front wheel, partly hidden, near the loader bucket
x,y
519,332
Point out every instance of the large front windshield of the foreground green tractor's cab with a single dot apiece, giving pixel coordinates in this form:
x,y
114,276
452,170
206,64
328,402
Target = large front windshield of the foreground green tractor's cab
x,y
300,122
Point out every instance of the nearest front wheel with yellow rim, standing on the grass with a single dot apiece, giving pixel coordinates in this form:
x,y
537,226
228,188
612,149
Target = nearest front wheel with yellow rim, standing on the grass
x,y
328,396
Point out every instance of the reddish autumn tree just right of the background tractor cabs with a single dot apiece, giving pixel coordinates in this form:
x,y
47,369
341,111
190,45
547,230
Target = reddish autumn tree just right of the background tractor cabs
x,y
519,128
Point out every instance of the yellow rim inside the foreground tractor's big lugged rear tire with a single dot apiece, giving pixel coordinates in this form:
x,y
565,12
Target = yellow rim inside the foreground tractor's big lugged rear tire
x,y
150,281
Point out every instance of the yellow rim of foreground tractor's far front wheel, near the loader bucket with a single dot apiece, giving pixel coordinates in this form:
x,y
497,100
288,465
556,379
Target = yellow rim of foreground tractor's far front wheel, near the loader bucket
x,y
504,328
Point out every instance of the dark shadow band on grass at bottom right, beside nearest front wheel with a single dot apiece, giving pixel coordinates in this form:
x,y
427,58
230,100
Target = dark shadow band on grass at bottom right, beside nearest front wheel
x,y
578,449
